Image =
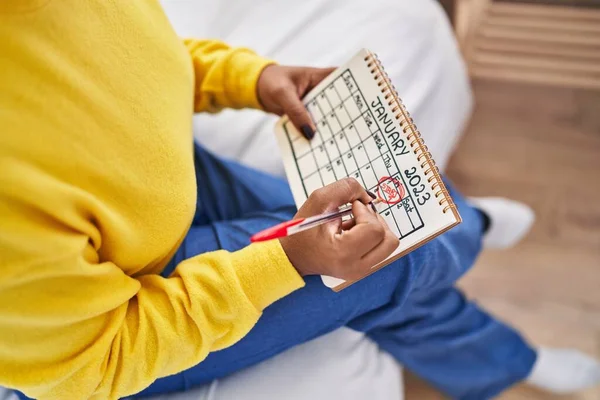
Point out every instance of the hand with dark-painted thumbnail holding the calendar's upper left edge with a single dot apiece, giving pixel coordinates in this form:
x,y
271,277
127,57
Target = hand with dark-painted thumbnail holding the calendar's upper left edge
x,y
280,90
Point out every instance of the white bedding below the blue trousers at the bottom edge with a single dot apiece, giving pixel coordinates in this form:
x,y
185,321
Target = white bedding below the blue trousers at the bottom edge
x,y
341,365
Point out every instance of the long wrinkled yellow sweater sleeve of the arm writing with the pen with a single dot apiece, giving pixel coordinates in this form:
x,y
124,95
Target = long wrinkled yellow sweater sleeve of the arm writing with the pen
x,y
73,326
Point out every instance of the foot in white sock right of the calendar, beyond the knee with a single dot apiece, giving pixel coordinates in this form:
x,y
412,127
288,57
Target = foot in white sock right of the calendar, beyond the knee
x,y
509,221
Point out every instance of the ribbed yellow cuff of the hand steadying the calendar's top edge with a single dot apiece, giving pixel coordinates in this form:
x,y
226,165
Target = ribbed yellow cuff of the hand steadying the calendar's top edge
x,y
248,66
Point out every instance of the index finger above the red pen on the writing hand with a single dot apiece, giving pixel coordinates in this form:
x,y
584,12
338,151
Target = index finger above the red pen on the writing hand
x,y
334,195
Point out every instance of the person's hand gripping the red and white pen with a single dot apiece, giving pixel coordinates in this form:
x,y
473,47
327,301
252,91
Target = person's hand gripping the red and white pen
x,y
346,251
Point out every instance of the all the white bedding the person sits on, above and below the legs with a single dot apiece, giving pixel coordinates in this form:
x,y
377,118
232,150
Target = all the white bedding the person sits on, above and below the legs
x,y
416,45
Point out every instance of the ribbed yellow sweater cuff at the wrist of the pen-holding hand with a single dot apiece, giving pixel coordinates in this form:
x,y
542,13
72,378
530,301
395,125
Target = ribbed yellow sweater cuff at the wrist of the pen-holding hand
x,y
265,273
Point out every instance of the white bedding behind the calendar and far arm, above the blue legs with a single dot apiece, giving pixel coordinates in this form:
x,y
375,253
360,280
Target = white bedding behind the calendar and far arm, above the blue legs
x,y
413,40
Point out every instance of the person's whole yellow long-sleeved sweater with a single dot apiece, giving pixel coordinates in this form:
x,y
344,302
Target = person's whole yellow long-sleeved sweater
x,y
97,190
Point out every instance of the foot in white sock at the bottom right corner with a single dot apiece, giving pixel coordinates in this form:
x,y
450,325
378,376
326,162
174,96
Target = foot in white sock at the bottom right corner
x,y
564,371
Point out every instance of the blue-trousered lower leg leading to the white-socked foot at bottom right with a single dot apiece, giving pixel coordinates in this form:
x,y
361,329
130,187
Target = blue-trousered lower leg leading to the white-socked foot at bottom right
x,y
454,345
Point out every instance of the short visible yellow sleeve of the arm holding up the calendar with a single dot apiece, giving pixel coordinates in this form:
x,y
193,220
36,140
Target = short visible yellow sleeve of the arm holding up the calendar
x,y
224,76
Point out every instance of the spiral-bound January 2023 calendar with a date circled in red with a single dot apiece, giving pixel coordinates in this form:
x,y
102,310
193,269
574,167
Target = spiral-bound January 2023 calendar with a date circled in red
x,y
365,132
